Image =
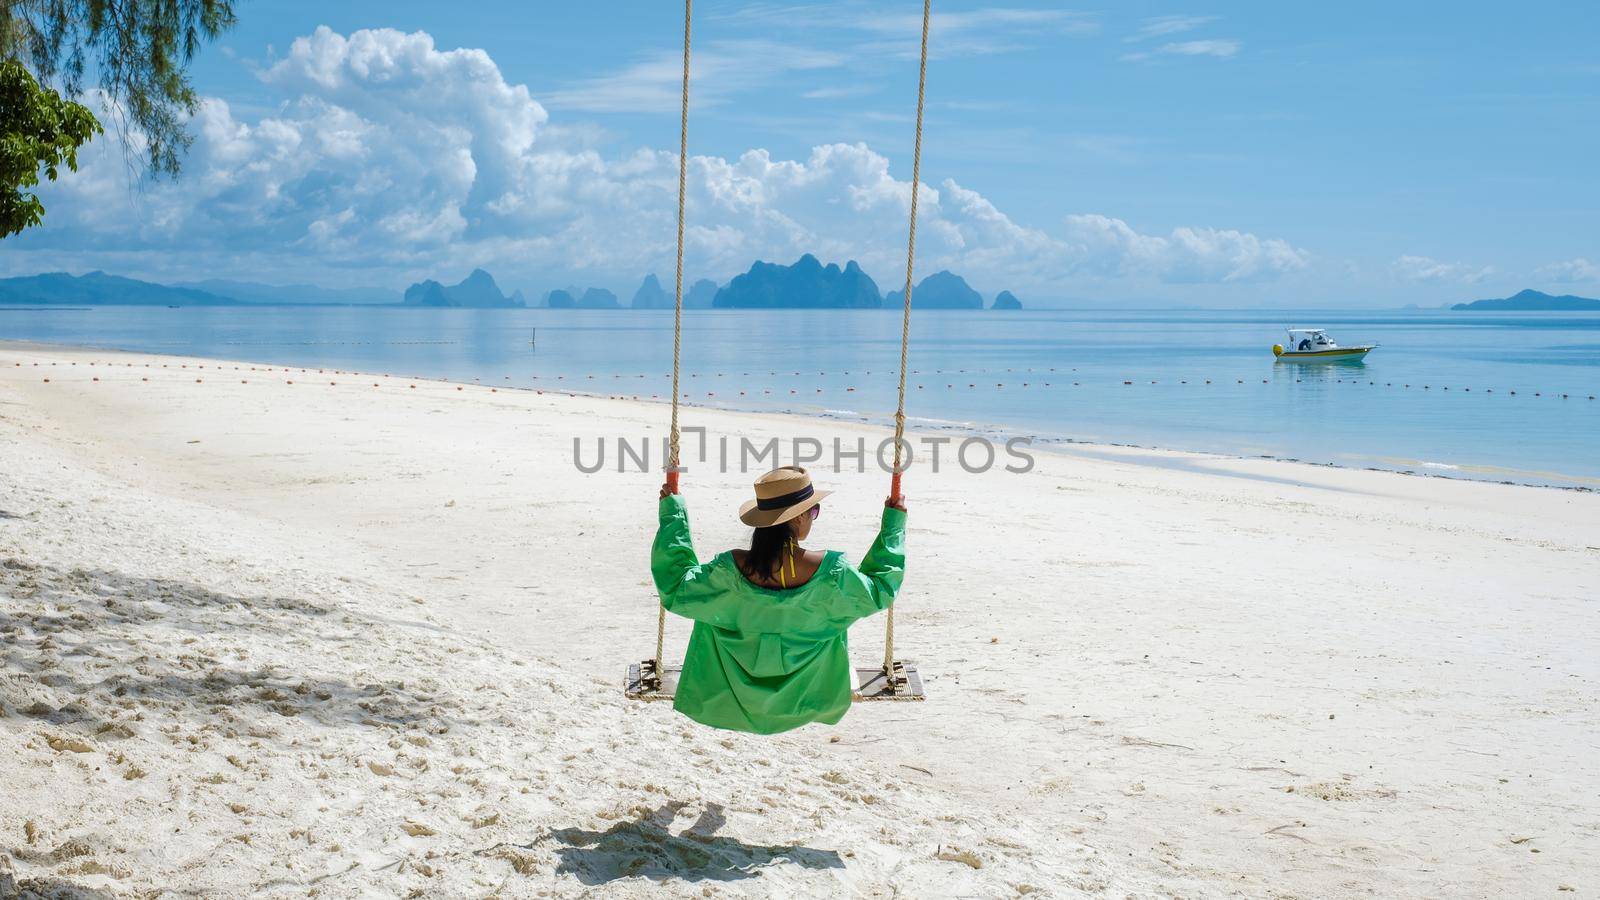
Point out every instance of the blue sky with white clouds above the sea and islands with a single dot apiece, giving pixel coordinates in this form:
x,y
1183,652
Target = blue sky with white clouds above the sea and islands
x,y
1223,156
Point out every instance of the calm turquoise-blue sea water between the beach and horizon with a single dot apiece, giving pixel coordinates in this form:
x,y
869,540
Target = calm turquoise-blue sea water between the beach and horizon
x,y
1436,396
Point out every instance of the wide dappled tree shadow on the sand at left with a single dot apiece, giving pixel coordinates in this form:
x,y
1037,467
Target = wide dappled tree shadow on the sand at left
x,y
76,653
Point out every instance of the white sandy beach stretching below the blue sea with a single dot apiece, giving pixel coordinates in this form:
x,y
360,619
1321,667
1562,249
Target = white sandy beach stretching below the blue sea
x,y
337,640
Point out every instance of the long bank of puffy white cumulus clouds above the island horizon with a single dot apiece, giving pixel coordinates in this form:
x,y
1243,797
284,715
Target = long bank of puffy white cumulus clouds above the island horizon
x,y
390,159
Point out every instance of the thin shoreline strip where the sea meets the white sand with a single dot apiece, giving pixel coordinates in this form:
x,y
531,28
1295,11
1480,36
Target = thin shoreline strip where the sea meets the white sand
x,y
1166,456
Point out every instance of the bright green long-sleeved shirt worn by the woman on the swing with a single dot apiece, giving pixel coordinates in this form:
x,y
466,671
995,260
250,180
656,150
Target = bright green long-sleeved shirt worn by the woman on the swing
x,y
769,661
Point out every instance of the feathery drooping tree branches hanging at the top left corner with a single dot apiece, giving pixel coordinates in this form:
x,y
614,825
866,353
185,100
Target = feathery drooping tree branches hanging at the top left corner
x,y
137,52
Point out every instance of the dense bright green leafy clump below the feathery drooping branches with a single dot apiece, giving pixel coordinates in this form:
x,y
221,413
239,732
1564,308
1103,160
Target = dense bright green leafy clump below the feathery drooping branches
x,y
38,131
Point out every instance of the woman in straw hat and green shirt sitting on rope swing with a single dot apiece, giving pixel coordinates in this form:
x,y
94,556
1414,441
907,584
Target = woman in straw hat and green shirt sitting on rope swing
x,y
769,649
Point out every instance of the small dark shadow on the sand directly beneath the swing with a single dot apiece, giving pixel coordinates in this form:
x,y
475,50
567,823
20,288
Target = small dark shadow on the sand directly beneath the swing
x,y
646,848
